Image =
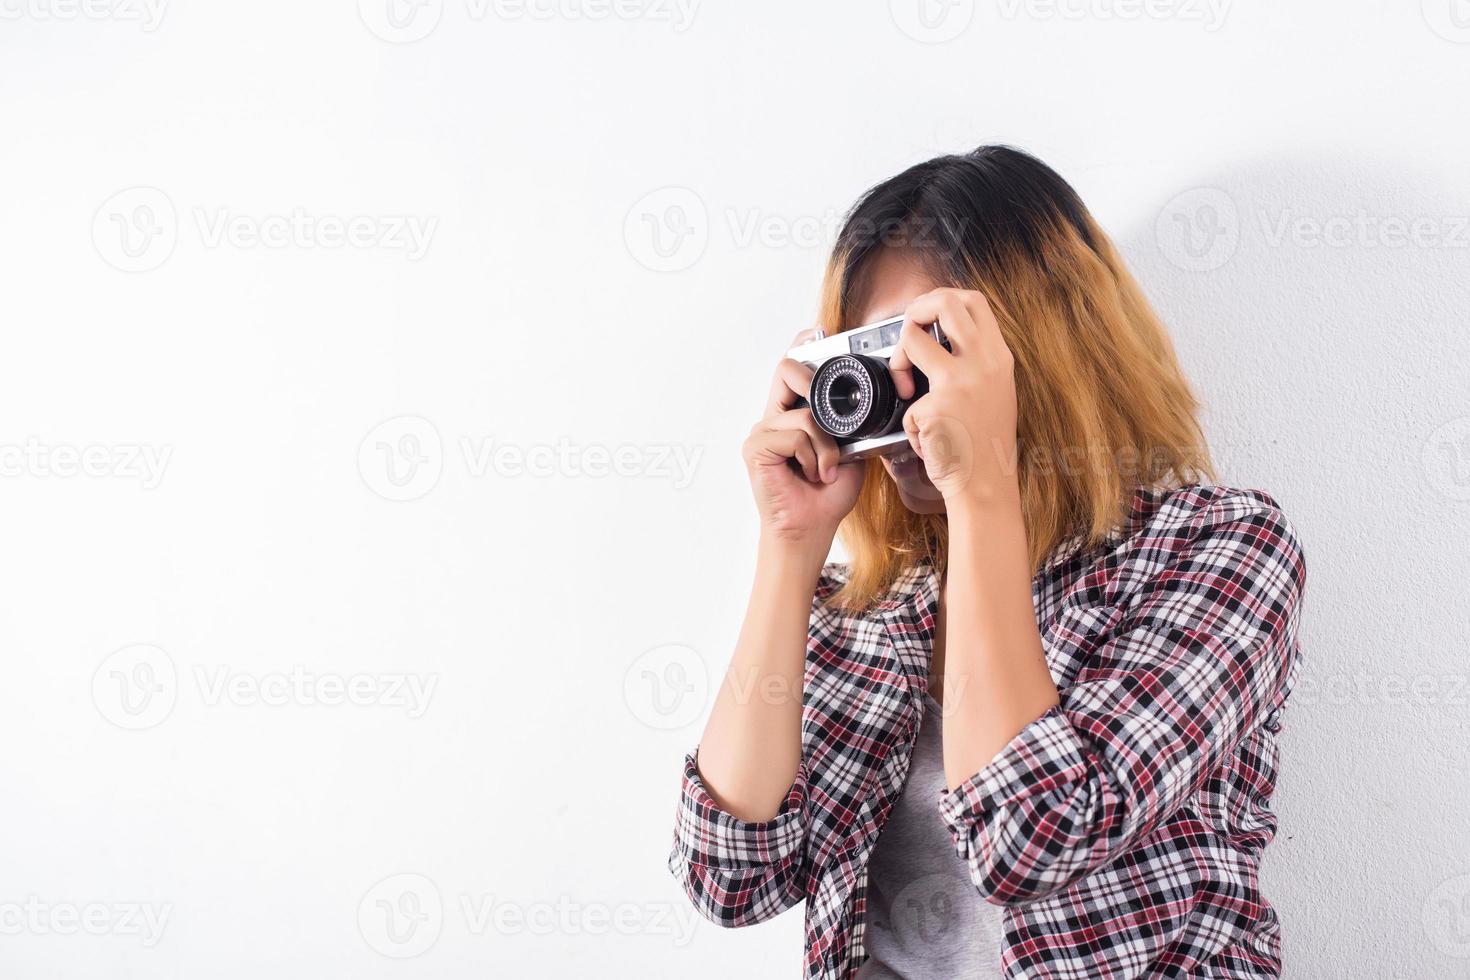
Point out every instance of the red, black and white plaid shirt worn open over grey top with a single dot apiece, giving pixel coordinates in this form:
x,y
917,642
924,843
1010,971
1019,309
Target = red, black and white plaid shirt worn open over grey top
x,y
1121,831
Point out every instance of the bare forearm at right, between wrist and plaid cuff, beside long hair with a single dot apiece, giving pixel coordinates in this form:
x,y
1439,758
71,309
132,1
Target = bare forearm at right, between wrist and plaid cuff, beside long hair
x,y
996,672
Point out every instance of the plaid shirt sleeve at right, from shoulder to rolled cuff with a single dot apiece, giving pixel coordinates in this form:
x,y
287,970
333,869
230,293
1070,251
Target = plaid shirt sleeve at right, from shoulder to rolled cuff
x,y
1199,657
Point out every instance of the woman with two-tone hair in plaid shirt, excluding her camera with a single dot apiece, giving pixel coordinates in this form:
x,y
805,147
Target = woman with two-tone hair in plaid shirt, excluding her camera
x,y
1031,729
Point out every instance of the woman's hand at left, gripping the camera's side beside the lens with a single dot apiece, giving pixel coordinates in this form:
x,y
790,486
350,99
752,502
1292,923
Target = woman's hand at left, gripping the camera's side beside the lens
x,y
802,491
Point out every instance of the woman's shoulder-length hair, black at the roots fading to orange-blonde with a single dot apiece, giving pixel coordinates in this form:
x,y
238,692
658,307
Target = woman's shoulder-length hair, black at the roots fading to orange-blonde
x,y
1103,406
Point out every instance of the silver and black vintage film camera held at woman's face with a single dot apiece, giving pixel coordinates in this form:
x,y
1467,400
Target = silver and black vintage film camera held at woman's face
x,y
853,396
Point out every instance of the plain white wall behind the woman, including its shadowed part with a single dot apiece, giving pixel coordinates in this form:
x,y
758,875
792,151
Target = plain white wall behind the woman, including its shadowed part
x,y
255,536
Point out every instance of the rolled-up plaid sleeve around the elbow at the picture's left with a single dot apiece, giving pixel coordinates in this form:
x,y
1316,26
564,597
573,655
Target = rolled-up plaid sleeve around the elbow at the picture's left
x,y
739,873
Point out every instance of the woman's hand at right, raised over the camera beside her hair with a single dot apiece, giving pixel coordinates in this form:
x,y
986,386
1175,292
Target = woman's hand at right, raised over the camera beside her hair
x,y
965,428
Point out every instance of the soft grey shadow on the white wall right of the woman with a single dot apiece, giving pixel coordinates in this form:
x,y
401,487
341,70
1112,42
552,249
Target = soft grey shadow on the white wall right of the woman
x,y
1321,309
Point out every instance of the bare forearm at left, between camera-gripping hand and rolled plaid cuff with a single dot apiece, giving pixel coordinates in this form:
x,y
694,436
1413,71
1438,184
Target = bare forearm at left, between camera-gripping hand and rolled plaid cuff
x,y
752,746
